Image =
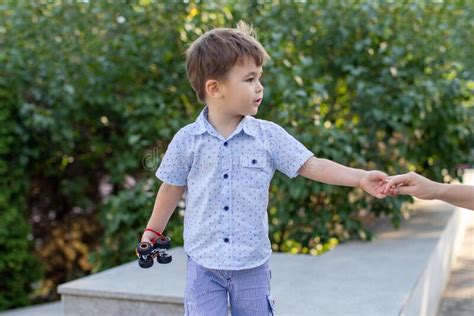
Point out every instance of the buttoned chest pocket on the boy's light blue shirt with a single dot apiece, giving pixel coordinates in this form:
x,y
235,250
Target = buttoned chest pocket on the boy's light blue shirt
x,y
255,170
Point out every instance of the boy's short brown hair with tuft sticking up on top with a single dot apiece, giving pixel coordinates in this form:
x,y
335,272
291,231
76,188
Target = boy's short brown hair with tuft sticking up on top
x,y
215,52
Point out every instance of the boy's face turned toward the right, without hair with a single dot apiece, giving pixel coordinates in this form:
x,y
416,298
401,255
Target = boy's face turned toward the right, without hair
x,y
242,91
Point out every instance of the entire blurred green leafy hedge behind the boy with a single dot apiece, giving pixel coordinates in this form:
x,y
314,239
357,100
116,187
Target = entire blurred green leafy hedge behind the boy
x,y
91,93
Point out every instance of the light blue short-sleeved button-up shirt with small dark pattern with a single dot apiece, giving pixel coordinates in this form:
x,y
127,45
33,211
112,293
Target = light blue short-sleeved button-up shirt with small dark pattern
x,y
227,183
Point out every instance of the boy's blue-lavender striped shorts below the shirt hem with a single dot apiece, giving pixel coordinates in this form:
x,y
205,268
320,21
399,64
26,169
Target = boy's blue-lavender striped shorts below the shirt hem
x,y
212,292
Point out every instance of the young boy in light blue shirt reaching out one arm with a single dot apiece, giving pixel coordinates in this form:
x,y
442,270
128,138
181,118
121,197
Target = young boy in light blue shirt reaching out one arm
x,y
224,162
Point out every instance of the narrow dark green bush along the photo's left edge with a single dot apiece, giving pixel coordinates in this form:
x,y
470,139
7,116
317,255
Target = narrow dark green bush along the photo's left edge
x,y
19,269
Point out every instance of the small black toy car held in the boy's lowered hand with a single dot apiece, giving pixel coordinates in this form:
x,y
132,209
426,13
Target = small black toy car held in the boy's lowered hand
x,y
146,252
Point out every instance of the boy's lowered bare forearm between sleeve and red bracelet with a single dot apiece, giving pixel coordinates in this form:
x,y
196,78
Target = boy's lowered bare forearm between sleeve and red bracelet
x,y
167,199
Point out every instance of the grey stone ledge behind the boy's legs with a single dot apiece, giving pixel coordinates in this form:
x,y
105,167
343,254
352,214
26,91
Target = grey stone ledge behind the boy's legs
x,y
402,272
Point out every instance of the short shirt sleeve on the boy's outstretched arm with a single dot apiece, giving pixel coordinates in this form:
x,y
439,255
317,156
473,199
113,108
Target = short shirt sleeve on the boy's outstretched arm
x,y
287,152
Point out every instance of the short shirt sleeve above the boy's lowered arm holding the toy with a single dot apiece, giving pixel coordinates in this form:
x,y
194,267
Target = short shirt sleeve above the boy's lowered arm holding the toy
x,y
176,163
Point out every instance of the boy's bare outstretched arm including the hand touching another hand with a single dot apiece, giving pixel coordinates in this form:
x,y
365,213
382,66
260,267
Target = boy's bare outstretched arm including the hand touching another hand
x,y
327,171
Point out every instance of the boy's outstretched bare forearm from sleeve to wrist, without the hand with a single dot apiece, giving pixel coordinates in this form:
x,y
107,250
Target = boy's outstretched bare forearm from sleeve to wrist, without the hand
x,y
330,172
